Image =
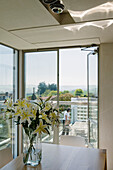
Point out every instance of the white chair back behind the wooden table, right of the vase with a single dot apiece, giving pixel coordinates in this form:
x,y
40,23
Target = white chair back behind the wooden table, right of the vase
x,y
72,141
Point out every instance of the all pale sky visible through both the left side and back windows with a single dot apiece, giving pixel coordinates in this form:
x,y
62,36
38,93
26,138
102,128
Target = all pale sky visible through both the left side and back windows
x,y
42,67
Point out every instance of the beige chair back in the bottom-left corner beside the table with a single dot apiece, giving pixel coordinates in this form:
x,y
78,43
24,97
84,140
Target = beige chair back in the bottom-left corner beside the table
x,y
5,156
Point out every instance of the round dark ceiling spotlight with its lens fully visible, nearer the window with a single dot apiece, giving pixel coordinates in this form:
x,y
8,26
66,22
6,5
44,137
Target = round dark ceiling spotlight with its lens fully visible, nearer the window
x,y
57,7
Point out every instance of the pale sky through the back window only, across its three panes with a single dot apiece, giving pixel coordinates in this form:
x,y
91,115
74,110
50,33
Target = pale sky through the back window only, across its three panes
x,y
42,67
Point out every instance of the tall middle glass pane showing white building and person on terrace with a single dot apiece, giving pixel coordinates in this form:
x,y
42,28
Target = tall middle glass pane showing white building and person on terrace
x,y
73,92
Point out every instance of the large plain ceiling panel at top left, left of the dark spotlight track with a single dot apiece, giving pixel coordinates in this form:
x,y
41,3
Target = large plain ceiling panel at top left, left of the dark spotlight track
x,y
17,14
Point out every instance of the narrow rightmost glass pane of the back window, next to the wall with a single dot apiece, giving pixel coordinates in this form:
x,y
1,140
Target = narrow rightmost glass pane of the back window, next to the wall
x,y
93,99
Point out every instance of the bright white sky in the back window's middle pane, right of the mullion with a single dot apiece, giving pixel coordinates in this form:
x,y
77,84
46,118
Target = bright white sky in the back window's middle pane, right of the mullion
x,y
73,67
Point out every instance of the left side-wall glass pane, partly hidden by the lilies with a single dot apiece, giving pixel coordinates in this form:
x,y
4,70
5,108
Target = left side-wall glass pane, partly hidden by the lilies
x,y
8,89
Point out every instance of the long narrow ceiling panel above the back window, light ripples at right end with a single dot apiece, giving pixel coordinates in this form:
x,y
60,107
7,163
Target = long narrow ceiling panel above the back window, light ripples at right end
x,y
66,32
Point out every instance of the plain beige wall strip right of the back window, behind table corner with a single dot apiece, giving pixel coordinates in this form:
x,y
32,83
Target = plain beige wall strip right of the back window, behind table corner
x,y
106,101
